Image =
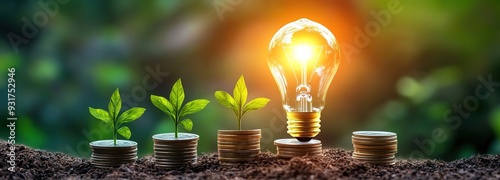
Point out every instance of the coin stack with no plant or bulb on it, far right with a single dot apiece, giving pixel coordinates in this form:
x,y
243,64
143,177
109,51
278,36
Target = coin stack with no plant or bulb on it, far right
x,y
375,147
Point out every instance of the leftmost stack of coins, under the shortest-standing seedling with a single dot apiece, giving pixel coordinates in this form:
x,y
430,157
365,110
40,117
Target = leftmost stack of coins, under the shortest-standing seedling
x,y
106,154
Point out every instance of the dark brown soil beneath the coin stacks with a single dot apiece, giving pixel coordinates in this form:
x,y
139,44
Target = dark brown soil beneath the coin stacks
x,y
336,163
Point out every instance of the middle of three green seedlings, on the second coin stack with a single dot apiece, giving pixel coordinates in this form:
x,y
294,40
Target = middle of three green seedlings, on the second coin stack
x,y
174,109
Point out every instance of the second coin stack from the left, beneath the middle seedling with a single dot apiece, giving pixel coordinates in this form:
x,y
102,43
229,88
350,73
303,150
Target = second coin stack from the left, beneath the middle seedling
x,y
171,152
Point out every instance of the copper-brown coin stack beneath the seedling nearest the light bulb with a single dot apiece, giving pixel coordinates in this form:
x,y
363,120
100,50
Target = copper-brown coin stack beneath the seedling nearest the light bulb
x,y
238,146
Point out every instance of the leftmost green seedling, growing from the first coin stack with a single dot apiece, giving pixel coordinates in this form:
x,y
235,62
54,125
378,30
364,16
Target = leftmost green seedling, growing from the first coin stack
x,y
112,119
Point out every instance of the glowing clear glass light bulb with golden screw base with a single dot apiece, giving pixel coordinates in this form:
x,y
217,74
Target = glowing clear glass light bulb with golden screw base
x,y
303,58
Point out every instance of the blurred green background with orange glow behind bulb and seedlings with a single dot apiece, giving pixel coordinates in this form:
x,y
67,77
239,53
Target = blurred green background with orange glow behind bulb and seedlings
x,y
425,61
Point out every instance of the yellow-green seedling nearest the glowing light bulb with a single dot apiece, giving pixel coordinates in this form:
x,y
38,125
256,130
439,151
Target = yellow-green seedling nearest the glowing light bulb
x,y
238,100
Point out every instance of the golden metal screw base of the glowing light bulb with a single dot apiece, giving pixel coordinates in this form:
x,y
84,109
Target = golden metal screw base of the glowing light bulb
x,y
303,125
